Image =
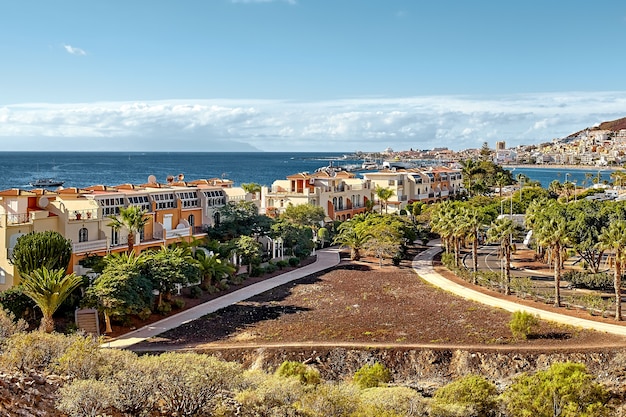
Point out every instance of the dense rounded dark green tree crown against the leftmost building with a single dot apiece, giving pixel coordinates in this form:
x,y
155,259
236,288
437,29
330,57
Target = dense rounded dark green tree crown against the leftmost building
x,y
36,250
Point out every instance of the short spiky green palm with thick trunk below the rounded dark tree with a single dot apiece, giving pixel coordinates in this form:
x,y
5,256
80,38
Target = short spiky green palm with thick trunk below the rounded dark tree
x,y
48,289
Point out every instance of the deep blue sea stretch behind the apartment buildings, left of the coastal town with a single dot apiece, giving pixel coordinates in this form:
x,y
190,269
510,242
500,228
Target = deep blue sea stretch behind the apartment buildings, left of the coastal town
x,y
82,169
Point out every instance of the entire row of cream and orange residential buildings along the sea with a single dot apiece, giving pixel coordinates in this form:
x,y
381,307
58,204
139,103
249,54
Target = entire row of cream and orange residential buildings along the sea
x,y
179,210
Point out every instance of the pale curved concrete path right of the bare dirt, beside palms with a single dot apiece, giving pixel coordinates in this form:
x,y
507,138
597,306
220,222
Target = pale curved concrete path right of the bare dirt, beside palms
x,y
423,266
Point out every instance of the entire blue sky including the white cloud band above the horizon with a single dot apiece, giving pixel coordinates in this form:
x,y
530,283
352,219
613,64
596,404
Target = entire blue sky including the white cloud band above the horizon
x,y
305,75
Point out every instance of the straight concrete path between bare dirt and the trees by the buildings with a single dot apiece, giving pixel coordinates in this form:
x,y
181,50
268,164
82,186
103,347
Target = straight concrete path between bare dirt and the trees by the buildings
x,y
326,258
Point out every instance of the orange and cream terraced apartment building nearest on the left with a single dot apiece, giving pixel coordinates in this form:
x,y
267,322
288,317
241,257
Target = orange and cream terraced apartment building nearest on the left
x,y
175,211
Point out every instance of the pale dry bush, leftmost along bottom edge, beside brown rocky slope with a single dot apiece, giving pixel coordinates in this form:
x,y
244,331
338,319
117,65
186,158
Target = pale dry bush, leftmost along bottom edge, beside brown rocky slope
x,y
85,398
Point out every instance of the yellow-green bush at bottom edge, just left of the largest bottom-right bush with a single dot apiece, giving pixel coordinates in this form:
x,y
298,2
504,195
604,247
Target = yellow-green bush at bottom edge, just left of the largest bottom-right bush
x,y
469,396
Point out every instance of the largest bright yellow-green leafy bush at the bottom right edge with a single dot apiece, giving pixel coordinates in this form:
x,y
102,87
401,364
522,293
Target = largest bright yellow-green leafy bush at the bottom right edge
x,y
564,390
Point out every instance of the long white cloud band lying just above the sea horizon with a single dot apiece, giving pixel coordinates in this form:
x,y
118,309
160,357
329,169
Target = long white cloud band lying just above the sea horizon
x,y
366,124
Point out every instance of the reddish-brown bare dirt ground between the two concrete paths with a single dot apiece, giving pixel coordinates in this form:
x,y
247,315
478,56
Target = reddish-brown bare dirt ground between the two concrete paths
x,y
365,305
